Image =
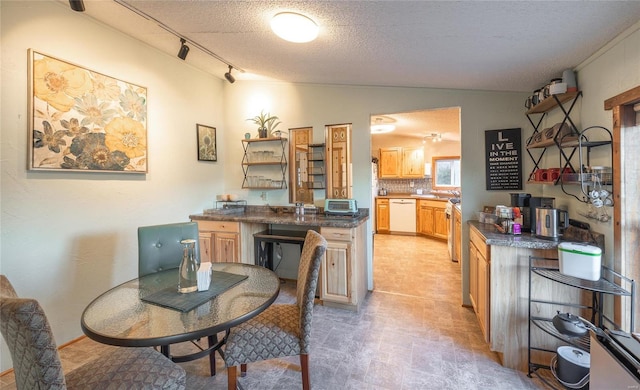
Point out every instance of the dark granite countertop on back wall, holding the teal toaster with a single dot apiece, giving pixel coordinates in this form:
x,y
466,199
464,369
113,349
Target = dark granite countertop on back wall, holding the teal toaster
x,y
265,214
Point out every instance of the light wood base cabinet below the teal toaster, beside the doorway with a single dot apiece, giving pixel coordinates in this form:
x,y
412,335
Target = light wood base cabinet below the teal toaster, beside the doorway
x,y
343,270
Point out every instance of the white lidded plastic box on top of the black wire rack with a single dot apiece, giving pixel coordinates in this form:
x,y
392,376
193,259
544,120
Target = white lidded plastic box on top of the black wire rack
x,y
580,260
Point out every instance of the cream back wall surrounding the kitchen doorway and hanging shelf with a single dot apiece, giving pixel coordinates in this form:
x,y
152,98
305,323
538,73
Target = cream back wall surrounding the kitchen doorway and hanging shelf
x,y
319,105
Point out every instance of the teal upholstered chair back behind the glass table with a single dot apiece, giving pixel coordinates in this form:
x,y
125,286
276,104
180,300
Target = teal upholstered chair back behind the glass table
x,y
159,246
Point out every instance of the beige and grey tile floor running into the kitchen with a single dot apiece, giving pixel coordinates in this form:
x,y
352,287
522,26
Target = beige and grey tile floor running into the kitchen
x,y
411,333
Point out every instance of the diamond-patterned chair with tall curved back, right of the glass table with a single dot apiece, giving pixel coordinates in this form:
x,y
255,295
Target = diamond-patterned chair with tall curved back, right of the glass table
x,y
282,329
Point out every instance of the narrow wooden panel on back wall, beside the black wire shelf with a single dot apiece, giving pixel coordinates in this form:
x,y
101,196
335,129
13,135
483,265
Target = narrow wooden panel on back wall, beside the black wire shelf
x,y
299,174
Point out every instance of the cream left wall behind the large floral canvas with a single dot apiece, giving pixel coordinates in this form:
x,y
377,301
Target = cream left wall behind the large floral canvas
x,y
67,237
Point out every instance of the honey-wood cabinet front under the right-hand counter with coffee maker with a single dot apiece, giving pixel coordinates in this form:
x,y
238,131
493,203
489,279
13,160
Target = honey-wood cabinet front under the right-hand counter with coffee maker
x,y
479,280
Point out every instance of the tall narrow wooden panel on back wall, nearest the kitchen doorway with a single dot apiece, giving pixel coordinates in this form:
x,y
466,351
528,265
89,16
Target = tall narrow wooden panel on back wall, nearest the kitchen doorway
x,y
338,163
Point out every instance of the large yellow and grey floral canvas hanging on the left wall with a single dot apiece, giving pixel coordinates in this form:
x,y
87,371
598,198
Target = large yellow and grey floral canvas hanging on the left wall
x,y
81,120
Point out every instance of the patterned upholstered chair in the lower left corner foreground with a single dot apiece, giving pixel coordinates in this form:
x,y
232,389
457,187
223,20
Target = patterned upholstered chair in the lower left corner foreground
x,y
36,362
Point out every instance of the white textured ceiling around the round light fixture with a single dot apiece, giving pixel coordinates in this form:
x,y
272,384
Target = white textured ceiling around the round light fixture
x,y
482,45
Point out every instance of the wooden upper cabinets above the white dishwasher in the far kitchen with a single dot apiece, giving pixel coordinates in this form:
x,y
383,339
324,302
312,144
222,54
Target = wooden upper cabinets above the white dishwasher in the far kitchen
x,y
405,163
